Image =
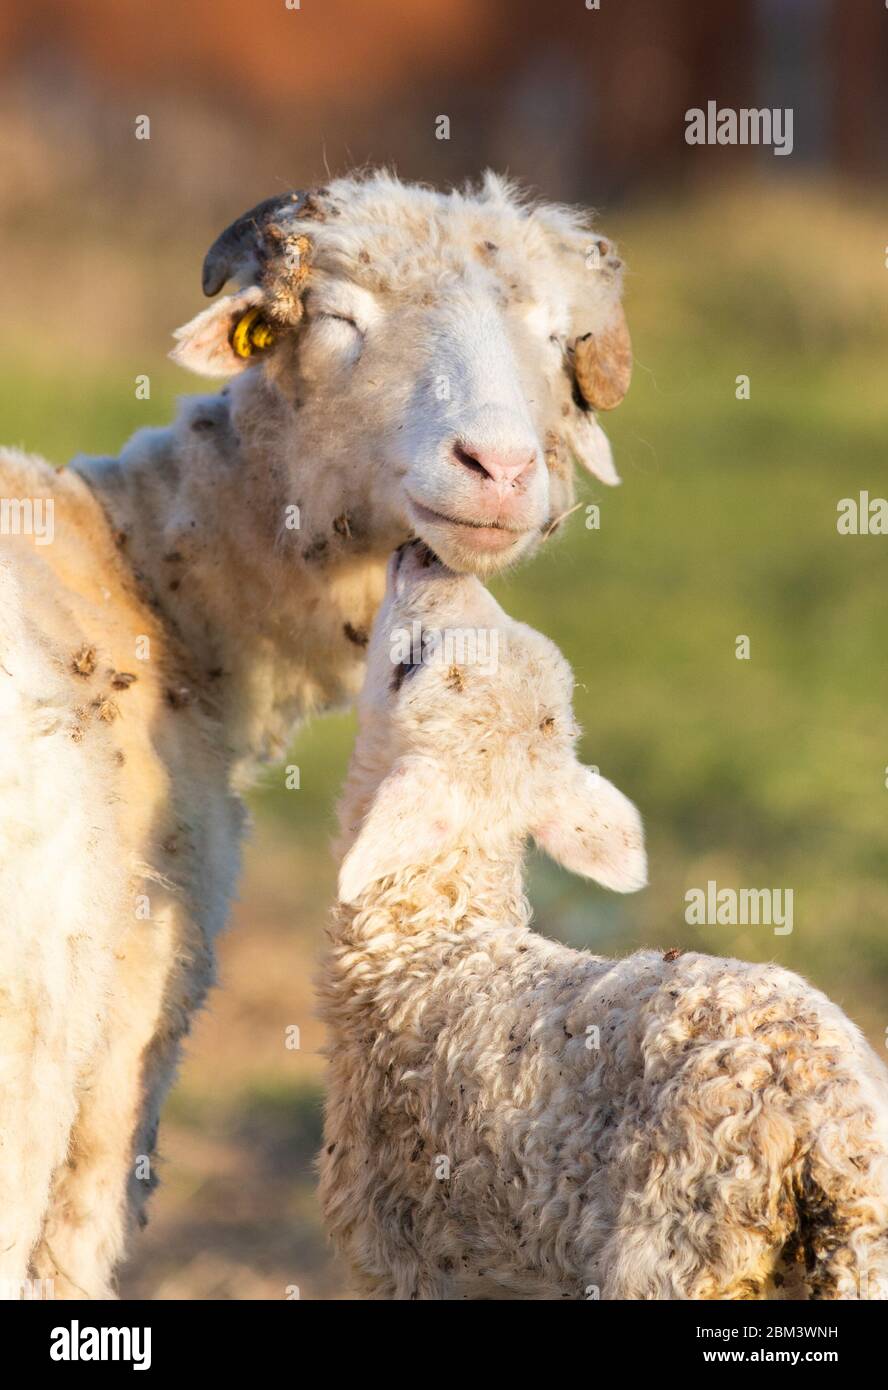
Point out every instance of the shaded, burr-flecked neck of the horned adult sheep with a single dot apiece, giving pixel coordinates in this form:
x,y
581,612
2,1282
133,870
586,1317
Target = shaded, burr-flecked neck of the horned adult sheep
x,y
274,622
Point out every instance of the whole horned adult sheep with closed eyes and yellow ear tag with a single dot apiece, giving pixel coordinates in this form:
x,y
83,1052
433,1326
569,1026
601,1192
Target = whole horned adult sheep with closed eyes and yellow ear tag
x,y
404,362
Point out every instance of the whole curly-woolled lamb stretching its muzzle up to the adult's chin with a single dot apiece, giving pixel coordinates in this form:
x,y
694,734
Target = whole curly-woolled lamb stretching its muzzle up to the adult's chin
x,y
509,1118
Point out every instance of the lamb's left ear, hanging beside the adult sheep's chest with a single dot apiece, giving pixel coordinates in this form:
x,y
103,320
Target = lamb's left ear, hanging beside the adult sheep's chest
x,y
413,817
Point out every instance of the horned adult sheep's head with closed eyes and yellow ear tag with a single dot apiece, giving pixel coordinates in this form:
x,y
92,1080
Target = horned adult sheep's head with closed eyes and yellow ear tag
x,y
441,351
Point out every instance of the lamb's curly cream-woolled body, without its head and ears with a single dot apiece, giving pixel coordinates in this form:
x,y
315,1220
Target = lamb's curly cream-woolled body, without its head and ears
x,y
730,1125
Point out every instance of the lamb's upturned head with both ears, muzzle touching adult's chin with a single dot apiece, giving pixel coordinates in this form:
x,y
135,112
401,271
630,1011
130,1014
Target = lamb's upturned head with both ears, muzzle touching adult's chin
x,y
468,742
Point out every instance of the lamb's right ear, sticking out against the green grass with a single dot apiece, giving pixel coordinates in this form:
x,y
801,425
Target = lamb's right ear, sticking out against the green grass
x,y
593,829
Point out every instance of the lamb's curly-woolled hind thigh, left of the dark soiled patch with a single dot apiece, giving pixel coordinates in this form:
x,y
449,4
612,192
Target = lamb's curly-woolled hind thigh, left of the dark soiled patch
x,y
708,1206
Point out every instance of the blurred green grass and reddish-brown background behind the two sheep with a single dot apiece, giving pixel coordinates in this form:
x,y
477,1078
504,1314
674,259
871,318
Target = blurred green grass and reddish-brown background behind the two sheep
x,y
764,774
